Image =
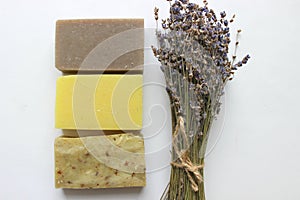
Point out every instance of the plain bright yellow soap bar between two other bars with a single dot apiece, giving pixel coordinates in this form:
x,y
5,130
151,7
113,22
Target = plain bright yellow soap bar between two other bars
x,y
99,102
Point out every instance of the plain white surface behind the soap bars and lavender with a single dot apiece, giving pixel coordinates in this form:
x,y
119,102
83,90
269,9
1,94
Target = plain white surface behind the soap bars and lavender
x,y
257,155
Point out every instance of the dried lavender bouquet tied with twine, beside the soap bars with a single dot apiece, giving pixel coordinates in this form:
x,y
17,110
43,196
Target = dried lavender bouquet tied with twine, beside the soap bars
x,y
193,45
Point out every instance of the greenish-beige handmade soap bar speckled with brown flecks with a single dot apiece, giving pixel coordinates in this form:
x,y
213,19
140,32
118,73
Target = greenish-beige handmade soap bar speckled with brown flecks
x,y
100,162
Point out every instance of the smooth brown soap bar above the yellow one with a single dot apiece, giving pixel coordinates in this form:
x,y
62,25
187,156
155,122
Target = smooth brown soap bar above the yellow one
x,y
98,45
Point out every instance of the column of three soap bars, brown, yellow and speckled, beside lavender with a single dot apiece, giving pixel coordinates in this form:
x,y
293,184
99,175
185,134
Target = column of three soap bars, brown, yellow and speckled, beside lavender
x,y
105,98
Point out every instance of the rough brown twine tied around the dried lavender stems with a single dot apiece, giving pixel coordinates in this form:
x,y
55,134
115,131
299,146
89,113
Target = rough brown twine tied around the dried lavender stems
x,y
185,162
